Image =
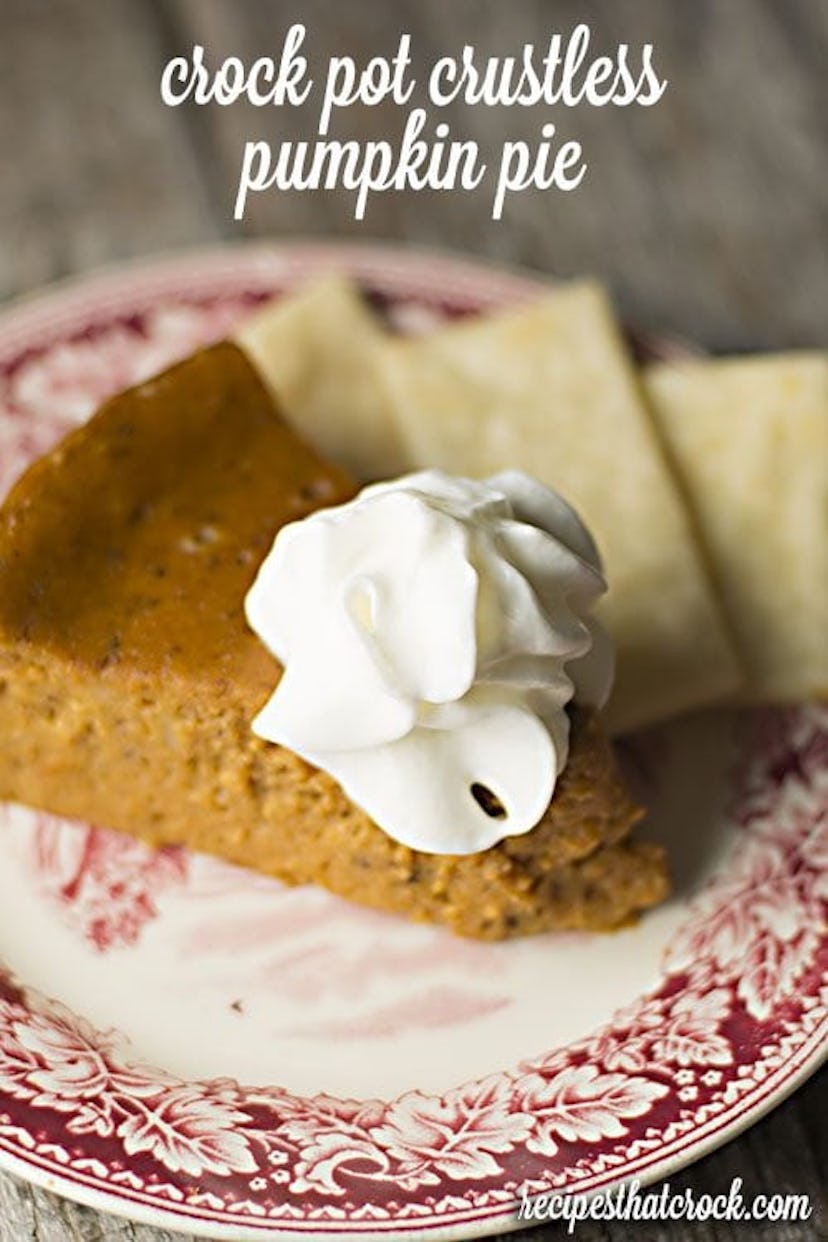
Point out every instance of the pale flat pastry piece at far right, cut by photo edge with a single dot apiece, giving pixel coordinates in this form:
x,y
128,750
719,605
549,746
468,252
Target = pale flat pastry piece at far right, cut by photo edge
x,y
749,442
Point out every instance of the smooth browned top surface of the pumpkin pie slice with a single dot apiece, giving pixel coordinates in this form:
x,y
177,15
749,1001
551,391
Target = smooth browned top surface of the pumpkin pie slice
x,y
132,546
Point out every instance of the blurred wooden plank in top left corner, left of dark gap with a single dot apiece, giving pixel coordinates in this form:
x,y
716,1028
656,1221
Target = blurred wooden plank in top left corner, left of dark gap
x,y
94,168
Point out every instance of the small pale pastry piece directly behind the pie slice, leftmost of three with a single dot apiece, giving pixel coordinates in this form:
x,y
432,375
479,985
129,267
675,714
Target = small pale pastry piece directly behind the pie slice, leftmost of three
x,y
318,350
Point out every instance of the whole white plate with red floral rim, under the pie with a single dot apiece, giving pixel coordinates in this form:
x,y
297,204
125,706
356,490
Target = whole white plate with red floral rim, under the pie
x,y
200,1049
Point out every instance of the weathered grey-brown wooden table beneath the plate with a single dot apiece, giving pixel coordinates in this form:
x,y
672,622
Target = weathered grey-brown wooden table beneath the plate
x,y
708,214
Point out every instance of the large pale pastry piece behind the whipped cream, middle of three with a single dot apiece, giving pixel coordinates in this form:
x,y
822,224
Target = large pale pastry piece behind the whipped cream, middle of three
x,y
551,389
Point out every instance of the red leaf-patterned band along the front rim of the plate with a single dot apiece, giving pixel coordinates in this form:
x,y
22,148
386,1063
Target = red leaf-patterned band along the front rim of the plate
x,y
703,1040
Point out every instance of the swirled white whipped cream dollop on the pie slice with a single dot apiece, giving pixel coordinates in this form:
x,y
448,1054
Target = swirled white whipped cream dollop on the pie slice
x,y
433,633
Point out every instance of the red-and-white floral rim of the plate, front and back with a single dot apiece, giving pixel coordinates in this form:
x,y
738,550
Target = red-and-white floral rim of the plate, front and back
x,y
738,1020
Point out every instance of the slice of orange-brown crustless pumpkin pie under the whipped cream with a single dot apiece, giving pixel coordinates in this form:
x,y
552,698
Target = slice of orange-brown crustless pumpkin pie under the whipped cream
x,y
130,679
